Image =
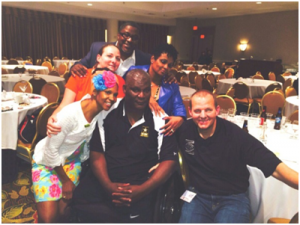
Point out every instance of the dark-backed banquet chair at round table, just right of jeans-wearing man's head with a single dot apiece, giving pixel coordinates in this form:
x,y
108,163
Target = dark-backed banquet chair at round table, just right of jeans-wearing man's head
x,y
241,92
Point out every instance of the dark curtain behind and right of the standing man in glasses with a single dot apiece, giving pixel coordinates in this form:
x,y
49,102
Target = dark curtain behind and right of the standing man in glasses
x,y
150,36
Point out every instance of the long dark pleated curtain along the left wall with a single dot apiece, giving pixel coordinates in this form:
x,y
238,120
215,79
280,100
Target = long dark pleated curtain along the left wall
x,y
39,34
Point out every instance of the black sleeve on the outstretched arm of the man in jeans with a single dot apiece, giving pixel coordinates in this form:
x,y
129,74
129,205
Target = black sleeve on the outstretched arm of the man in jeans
x,y
255,154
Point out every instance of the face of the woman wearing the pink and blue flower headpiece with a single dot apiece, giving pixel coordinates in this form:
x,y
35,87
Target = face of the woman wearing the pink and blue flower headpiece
x,y
107,97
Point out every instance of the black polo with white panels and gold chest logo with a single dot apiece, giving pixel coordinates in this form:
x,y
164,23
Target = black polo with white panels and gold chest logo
x,y
130,151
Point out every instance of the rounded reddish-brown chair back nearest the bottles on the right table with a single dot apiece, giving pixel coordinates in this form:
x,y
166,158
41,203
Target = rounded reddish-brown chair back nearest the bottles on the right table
x,y
273,100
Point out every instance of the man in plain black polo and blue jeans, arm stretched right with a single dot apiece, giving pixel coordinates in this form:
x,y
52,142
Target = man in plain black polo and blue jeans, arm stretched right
x,y
217,153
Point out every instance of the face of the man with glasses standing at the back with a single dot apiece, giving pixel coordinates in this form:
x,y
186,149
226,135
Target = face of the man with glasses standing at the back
x,y
128,39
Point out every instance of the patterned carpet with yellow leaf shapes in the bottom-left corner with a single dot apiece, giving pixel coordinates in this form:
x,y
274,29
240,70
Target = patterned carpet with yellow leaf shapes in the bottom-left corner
x,y
17,201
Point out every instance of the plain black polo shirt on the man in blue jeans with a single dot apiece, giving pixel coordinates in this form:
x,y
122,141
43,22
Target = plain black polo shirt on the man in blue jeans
x,y
218,165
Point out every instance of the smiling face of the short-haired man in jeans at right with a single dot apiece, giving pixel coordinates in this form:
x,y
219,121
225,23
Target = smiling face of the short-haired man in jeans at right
x,y
204,112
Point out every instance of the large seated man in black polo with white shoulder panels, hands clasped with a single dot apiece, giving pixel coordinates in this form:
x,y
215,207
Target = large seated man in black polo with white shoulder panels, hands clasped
x,y
120,189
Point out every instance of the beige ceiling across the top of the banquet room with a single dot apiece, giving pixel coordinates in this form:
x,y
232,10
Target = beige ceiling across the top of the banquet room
x,y
152,11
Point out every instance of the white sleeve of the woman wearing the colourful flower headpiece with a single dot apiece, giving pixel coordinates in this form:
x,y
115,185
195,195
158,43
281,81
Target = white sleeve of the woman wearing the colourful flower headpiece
x,y
52,157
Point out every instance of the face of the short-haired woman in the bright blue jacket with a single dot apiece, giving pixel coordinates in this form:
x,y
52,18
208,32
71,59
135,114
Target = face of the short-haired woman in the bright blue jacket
x,y
162,65
